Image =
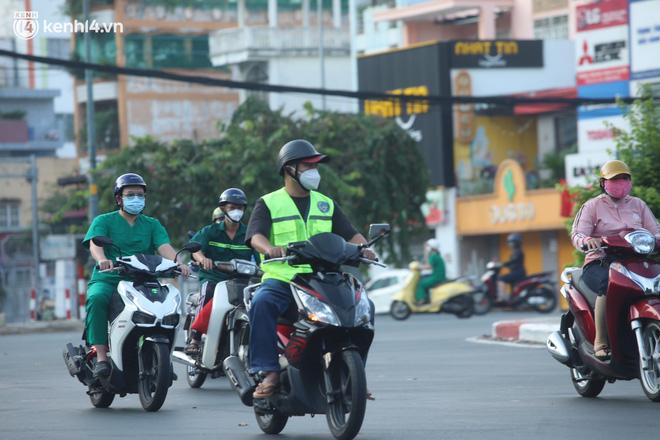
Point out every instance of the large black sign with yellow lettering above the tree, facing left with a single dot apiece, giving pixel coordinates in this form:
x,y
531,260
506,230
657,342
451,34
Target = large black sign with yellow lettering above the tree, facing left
x,y
417,71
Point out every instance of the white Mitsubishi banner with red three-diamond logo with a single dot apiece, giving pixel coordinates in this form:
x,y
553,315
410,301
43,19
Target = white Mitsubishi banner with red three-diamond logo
x,y
602,55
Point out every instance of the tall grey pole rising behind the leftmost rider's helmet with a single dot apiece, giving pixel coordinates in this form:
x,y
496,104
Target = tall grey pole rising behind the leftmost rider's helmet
x,y
91,147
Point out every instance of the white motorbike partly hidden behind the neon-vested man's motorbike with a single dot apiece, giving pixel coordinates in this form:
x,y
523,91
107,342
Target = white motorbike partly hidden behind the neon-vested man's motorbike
x,y
215,345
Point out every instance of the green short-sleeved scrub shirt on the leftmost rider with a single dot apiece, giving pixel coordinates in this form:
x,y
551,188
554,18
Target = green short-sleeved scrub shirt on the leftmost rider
x,y
145,236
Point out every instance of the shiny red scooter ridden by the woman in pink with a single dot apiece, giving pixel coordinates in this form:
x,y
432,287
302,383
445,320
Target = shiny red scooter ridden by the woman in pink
x,y
633,319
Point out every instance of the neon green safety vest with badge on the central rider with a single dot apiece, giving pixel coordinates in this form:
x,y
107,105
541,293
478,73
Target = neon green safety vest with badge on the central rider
x,y
288,226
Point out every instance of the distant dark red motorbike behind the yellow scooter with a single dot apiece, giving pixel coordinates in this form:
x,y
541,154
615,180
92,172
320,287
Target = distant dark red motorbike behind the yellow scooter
x,y
534,291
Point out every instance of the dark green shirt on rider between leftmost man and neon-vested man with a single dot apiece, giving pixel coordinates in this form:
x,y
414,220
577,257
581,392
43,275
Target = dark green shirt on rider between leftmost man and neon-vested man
x,y
217,246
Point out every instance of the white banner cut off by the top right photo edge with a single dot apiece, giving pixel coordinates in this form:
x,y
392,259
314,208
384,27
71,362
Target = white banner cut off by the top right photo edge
x,y
645,38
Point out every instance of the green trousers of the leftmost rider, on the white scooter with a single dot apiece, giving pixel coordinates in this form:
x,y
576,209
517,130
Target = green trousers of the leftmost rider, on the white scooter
x,y
99,294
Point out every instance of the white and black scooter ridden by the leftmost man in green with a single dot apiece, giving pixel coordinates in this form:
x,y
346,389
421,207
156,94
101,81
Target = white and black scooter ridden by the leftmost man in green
x,y
144,316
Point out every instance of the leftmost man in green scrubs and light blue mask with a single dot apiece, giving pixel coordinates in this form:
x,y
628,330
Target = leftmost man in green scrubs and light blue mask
x,y
133,233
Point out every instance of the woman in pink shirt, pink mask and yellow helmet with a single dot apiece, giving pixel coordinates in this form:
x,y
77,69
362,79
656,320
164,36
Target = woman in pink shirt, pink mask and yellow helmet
x,y
607,214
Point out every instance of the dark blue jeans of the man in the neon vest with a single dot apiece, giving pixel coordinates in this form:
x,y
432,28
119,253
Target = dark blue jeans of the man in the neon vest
x,y
270,300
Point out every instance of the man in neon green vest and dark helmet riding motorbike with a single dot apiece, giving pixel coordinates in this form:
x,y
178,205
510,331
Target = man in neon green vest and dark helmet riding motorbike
x,y
293,213
